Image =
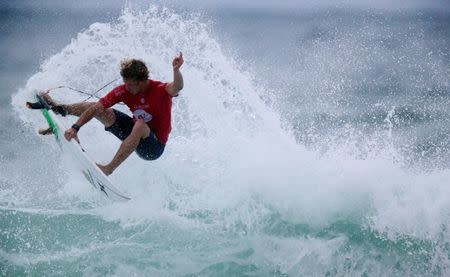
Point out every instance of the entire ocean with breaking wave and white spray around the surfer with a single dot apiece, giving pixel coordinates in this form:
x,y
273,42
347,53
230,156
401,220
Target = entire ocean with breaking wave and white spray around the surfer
x,y
308,141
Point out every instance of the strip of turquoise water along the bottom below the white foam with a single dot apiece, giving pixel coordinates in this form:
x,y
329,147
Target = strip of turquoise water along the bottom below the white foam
x,y
72,244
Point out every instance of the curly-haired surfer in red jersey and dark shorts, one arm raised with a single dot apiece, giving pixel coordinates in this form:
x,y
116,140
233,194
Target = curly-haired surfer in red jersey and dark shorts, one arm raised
x,y
149,100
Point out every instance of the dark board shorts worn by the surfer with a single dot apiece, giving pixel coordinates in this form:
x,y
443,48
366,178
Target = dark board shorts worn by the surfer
x,y
148,149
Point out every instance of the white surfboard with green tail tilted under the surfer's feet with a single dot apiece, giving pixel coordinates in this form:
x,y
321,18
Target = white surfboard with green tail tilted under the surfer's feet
x,y
89,169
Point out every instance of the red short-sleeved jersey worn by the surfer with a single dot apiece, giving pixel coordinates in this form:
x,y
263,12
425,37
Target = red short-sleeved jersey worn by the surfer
x,y
153,105
